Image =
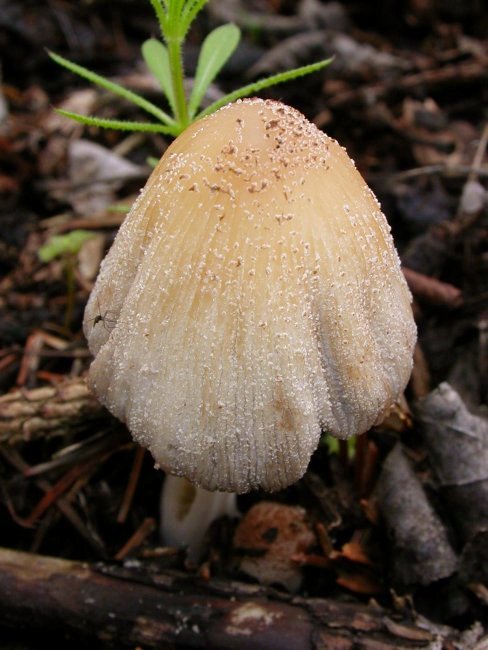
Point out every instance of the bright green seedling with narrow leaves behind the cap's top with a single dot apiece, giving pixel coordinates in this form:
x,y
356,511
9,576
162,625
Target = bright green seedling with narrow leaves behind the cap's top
x,y
164,59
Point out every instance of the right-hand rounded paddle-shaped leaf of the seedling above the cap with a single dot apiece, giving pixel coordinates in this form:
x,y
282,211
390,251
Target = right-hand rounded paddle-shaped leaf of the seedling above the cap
x,y
216,50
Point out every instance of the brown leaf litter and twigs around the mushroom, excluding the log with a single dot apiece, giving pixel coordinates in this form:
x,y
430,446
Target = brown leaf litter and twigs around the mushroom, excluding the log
x,y
409,111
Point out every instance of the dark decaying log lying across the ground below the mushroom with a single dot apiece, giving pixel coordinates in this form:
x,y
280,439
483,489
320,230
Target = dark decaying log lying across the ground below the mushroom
x,y
129,607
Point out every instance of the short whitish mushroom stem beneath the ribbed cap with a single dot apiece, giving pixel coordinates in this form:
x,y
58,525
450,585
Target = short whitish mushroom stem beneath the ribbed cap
x,y
187,512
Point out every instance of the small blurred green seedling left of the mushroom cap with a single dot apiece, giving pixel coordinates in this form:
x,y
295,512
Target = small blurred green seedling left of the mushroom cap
x,y
66,248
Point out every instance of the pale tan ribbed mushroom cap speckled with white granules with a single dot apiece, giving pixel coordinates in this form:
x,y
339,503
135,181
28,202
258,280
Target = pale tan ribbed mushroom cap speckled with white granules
x,y
255,298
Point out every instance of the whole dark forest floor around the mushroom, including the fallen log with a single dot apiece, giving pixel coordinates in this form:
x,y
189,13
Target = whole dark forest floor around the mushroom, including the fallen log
x,y
397,524
